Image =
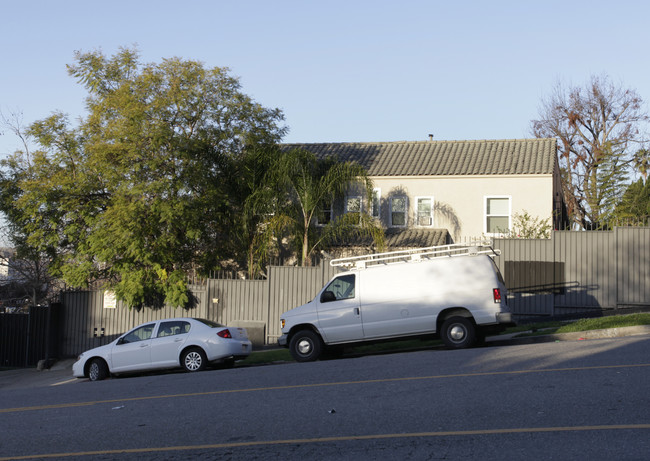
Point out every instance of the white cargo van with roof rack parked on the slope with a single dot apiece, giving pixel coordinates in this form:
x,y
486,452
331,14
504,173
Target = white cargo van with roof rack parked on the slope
x,y
454,291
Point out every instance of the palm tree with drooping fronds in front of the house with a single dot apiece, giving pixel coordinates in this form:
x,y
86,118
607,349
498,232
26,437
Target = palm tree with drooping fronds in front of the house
x,y
298,188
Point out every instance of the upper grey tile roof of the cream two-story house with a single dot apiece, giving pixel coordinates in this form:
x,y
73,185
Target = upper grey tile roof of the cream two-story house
x,y
444,158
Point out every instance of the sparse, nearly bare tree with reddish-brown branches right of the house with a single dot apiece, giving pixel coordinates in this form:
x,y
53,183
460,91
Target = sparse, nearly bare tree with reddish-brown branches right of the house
x,y
597,127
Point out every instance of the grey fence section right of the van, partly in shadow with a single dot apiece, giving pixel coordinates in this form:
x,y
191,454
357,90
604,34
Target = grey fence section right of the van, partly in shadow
x,y
577,271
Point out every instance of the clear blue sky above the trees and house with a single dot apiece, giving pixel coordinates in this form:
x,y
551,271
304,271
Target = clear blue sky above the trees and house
x,y
341,70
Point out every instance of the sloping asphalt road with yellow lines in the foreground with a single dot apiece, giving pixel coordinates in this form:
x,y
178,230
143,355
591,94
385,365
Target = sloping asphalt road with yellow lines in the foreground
x,y
565,400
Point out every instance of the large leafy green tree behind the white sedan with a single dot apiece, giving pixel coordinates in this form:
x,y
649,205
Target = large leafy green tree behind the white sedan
x,y
137,195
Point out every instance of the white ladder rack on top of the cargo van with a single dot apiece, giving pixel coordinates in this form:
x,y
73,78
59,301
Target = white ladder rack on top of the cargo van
x,y
417,254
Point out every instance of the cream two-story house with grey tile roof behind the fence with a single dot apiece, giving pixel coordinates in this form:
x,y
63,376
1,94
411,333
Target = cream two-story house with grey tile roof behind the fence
x,y
436,192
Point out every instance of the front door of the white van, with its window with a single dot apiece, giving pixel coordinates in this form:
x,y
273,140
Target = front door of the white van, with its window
x,y
339,317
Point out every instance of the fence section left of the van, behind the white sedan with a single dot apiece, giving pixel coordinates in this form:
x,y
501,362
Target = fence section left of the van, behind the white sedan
x,y
88,324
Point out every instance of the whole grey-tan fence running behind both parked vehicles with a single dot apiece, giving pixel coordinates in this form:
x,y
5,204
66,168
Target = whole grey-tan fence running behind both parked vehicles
x,y
572,272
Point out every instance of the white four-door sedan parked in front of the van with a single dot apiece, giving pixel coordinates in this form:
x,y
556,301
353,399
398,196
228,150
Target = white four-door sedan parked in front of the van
x,y
170,343
